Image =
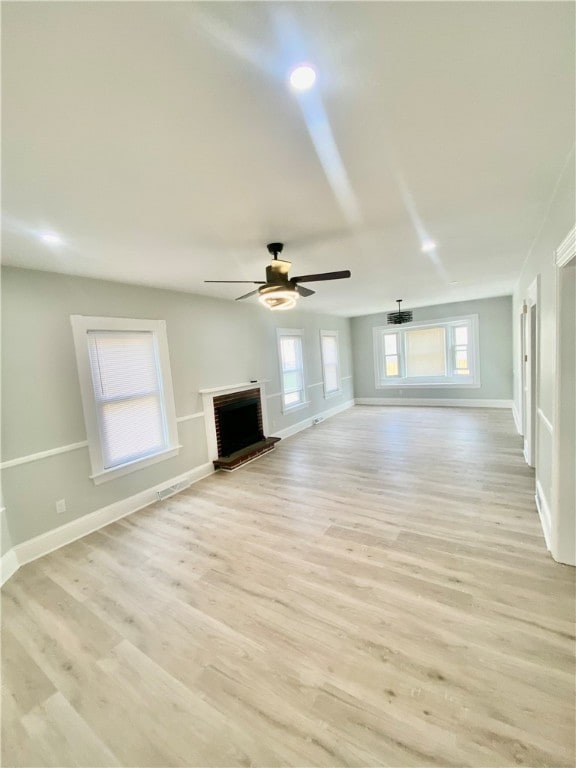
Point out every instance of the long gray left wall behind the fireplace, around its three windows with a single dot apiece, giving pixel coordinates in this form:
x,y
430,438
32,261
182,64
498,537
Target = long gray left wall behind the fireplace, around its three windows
x,y
211,343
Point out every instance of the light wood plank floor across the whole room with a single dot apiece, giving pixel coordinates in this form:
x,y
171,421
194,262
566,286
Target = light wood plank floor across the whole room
x,y
374,592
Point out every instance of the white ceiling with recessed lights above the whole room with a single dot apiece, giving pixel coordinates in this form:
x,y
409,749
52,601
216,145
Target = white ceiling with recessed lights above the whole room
x,y
161,142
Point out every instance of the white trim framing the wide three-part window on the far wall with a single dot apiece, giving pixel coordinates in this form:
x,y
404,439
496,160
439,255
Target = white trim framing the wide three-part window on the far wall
x,y
449,383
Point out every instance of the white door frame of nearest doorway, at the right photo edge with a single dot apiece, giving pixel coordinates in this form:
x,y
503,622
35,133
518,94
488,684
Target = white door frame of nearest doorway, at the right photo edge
x,y
563,518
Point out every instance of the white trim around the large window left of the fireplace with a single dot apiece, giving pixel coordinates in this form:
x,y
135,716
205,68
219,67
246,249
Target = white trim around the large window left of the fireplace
x,y
80,327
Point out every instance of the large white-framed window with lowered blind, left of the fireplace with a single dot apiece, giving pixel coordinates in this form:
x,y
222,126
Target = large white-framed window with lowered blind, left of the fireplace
x,y
126,389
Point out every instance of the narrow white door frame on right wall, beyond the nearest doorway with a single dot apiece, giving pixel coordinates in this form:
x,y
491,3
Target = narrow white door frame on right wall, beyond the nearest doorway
x,y
531,377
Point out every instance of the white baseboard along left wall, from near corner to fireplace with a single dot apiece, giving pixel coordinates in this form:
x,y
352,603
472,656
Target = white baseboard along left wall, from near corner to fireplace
x,y
82,526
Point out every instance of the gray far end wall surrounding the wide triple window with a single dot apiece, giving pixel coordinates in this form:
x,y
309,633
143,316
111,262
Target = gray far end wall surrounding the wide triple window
x,y
495,338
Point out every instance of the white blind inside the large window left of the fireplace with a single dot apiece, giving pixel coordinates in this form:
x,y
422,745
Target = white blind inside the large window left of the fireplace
x,y
128,394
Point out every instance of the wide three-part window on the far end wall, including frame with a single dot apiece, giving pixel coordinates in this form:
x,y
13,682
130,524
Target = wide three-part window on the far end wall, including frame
x,y
440,353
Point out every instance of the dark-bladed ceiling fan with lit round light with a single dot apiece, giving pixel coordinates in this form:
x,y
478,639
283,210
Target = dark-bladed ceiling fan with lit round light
x,y
279,291
